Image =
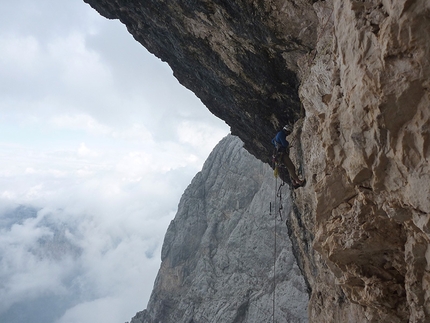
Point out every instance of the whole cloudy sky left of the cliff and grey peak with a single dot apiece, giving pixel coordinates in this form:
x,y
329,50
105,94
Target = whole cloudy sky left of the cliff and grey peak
x,y
98,141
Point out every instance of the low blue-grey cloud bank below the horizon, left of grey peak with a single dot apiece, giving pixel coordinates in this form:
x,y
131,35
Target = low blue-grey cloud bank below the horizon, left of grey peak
x,y
83,259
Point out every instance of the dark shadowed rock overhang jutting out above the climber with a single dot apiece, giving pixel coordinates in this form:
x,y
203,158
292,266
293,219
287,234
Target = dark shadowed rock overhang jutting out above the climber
x,y
239,57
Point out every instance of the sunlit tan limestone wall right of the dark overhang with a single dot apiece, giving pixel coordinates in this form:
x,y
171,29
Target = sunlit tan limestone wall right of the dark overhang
x,y
366,154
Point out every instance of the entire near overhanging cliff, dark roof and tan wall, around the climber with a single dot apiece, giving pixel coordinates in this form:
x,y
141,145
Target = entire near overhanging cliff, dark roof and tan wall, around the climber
x,y
353,77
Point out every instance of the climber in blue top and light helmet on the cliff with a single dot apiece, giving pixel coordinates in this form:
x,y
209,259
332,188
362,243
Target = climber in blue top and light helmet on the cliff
x,y
283,154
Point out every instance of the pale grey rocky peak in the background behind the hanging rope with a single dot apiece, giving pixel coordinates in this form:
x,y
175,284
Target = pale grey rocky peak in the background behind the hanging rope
x,y
219,251
